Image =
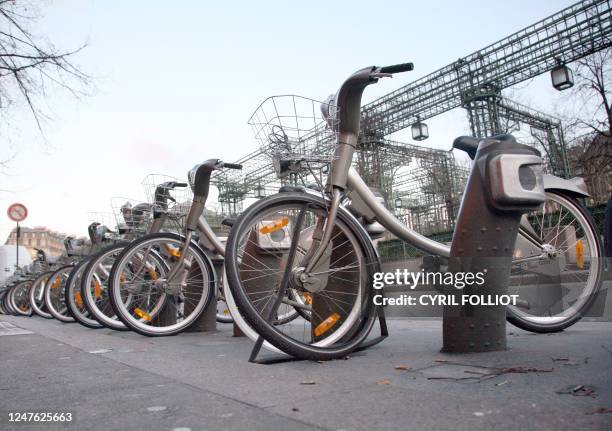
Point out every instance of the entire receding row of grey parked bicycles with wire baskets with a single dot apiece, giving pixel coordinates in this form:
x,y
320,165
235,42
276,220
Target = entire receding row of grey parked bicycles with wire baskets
x,y
295,274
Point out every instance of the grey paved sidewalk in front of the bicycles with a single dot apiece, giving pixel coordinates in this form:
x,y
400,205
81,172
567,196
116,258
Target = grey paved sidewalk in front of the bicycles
x,y
122,381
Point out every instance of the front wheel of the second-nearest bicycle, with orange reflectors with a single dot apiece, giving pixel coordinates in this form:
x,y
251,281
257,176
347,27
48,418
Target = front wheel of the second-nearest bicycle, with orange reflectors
x,y
146,300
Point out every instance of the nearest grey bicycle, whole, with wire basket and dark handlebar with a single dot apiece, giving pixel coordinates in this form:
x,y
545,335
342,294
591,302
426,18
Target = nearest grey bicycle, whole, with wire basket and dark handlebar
x,y
313,249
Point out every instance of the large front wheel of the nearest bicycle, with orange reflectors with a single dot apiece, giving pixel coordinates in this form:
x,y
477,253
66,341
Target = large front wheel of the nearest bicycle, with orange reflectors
x,y
266,250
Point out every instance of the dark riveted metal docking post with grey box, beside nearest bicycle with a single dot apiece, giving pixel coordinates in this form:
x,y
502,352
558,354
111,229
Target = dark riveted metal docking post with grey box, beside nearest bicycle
x,y
505,182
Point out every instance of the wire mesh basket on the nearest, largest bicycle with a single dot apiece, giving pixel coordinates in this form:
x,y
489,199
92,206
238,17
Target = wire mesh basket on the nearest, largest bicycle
x,y
298,133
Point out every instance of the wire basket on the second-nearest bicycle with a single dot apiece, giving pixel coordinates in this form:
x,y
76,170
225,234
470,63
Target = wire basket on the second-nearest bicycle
x,y
174,201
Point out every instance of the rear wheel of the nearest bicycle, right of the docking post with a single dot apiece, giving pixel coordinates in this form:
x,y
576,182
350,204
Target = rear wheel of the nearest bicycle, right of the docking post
x,y
557,265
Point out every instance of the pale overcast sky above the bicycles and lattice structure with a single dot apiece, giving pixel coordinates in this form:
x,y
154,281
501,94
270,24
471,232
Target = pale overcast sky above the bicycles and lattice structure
x,y
177,81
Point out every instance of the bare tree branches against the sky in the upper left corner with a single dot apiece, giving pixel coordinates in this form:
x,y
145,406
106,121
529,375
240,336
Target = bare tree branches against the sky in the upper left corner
x,y
31,67
